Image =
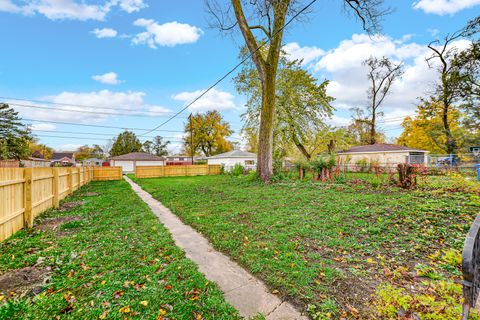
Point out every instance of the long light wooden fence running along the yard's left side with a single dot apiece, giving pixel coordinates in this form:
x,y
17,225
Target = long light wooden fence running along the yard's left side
x,y
27,192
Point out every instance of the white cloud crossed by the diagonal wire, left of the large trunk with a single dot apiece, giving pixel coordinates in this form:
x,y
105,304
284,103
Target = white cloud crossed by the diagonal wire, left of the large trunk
x,y
213,100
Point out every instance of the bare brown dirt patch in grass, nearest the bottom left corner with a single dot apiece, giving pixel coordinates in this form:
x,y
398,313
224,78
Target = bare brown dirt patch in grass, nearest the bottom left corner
x,y
24,280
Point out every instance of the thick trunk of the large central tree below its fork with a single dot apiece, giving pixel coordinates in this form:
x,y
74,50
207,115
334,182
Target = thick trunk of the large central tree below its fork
x,y
265,137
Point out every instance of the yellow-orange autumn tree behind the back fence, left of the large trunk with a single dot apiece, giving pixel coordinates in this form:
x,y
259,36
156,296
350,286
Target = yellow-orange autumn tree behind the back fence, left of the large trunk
x,y
210,134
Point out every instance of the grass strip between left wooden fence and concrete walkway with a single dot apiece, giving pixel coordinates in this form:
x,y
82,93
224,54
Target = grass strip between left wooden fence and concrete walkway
x,y
103,256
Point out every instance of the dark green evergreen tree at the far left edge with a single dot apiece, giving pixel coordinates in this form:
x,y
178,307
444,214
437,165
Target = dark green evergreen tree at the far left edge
x,y
14,136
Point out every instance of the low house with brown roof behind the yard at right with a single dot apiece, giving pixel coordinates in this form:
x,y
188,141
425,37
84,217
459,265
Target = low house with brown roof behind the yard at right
x,y
384,154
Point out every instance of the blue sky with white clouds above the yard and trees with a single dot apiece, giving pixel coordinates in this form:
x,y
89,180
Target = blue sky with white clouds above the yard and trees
x,y
116,56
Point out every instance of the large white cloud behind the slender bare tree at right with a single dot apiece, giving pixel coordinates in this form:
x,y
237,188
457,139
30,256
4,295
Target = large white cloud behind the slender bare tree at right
x,y
348,82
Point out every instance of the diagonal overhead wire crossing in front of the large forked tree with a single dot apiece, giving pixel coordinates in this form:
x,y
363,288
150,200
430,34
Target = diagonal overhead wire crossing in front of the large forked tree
x,y
234,68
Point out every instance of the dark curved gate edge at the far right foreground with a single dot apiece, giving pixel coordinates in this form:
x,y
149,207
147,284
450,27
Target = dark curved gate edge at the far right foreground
x,y
471,268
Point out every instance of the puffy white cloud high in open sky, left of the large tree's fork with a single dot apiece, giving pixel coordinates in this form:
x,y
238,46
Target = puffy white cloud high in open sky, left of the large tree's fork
x,y
168,34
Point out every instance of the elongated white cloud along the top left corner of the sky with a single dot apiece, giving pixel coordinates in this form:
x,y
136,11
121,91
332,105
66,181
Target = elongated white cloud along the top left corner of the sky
x,y
70,9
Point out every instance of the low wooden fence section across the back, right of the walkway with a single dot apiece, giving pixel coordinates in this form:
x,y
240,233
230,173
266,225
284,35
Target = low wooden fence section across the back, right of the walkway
x,y
176,171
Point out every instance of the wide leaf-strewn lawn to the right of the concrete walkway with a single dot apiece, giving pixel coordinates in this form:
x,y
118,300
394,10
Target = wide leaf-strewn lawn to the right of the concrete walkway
x,y
355,249
